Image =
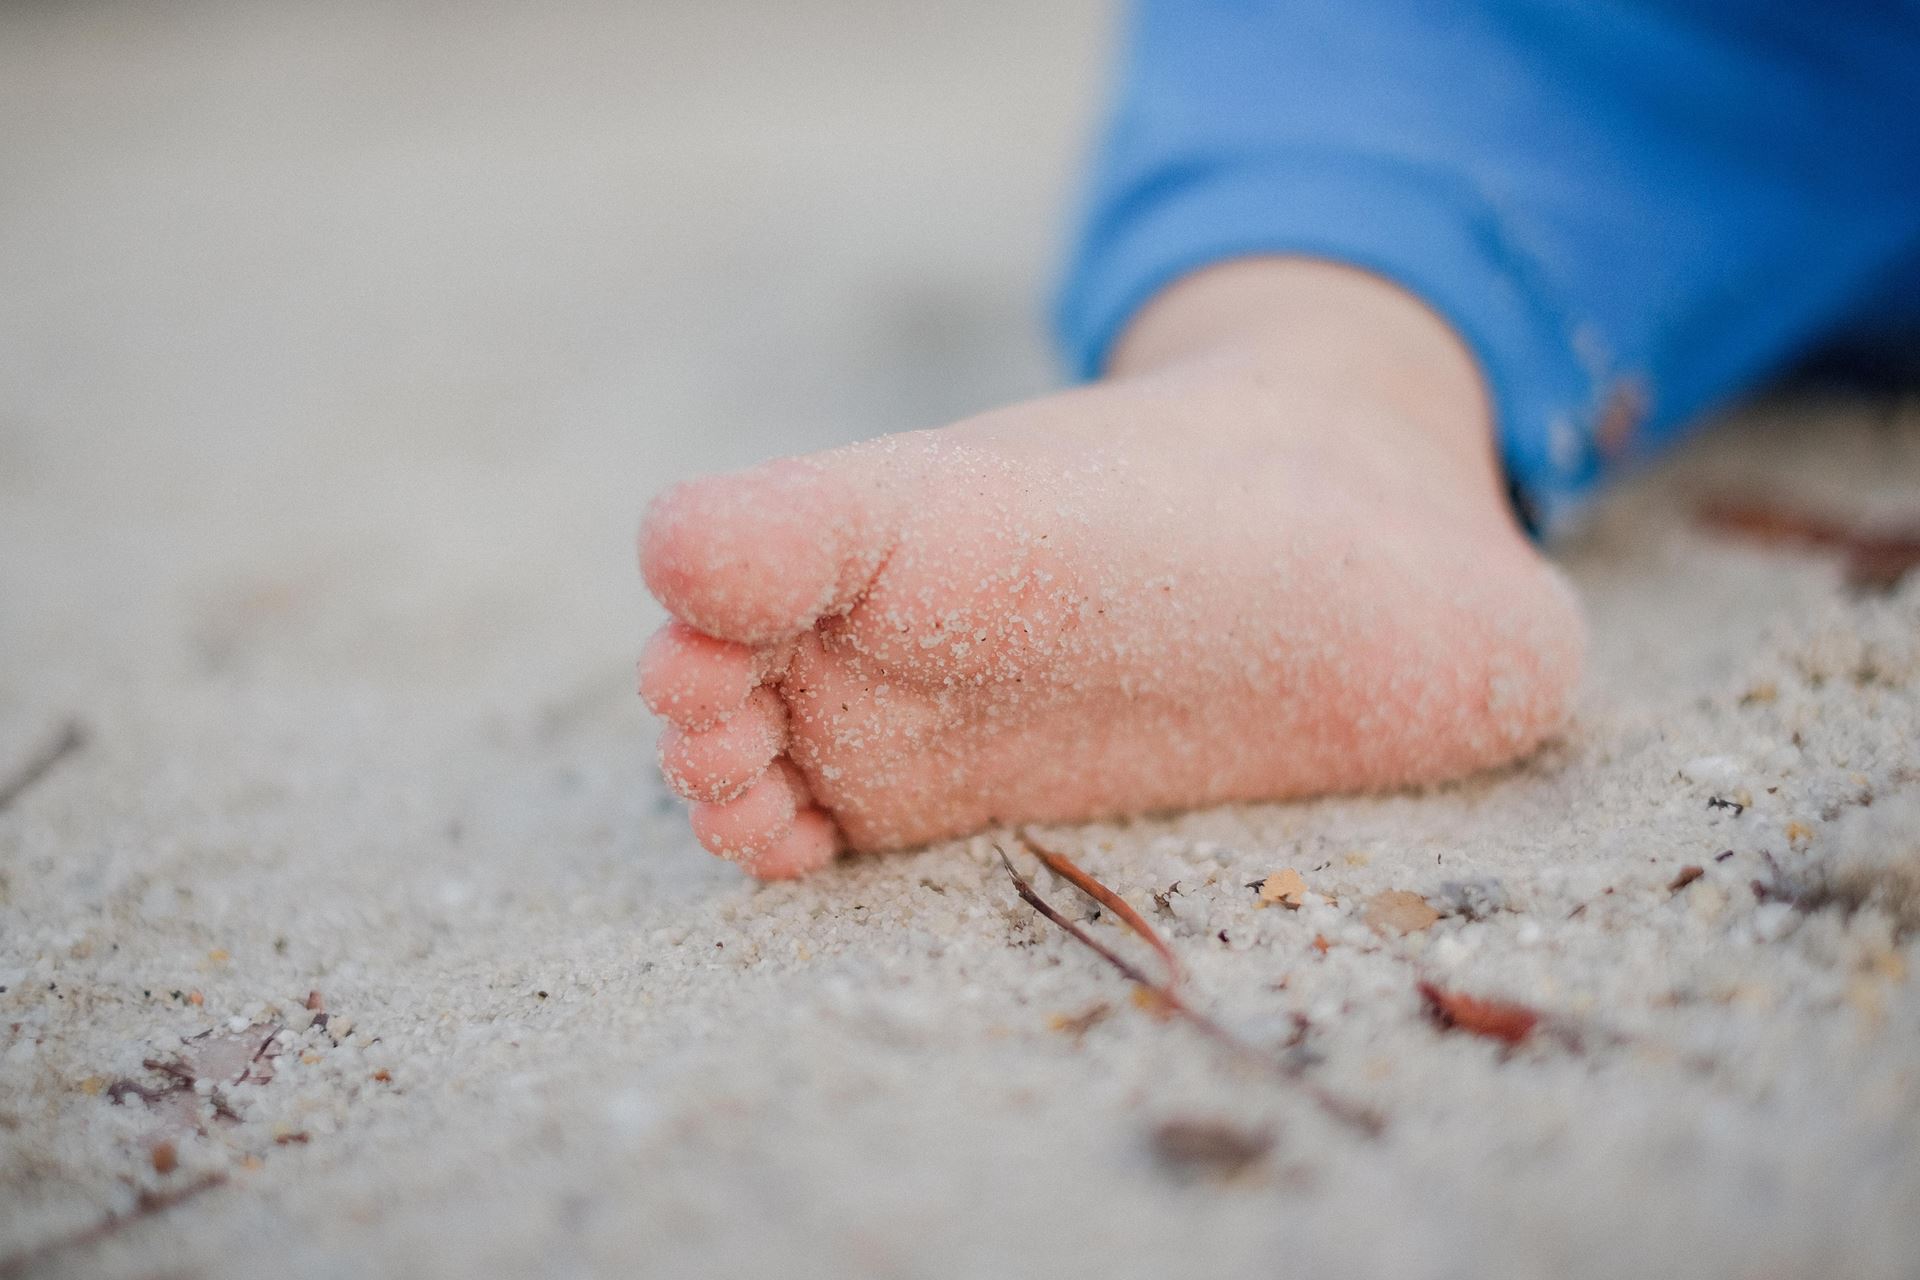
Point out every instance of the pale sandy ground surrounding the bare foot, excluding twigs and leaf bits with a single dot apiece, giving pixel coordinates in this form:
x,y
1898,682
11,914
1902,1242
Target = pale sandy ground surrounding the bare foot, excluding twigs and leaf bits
x,y
339,350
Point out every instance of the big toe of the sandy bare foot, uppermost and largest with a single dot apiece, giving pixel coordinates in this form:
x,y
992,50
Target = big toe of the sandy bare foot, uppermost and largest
x,y
761,556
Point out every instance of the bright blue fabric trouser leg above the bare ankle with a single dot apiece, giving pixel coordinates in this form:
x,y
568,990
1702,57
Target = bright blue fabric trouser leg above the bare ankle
x,y
1629,210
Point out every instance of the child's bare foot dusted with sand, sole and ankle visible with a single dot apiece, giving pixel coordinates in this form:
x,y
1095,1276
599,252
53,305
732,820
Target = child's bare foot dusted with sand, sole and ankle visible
x,y
1270,557
